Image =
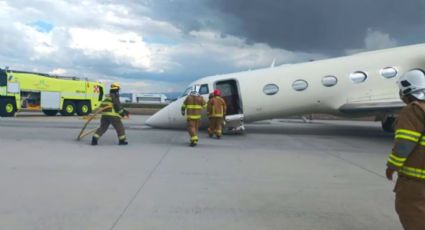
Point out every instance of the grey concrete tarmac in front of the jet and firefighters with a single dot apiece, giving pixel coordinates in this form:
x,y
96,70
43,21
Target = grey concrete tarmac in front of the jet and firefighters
x,y
282,174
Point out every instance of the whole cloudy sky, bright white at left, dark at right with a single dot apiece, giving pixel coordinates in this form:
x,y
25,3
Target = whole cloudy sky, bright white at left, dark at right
x,y
162,45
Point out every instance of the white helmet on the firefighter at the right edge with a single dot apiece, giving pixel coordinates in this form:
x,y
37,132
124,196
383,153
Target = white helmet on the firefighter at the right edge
x,y
413,83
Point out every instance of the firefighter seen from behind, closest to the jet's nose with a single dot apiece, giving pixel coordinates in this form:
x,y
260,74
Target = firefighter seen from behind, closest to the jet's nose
x,y
192,107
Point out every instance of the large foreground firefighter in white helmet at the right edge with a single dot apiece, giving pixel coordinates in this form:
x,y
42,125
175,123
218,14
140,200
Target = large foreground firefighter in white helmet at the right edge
x,y
408,153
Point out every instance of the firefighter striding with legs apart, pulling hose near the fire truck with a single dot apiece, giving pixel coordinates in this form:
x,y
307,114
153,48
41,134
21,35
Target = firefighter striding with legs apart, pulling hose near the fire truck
x,y
112,116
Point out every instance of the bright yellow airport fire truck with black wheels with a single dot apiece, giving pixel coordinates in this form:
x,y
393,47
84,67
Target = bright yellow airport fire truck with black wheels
x,y
48,93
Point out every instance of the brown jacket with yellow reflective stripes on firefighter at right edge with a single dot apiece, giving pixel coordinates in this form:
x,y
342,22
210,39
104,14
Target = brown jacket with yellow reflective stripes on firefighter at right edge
x,y
408,152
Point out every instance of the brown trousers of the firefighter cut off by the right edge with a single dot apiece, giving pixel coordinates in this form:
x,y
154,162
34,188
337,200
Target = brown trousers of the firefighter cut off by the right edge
x,y
410,203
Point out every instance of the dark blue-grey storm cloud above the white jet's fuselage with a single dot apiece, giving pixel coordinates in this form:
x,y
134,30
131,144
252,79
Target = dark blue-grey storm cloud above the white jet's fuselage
x,y
325,25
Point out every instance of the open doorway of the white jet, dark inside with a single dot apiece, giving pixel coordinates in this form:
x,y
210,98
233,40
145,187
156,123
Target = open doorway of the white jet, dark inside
x,y
234,119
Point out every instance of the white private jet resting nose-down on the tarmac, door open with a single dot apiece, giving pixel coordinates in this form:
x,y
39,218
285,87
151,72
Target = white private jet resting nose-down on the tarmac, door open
x,y
362,84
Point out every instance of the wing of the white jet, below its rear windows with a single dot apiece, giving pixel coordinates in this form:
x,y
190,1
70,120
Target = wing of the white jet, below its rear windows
x,y
359,108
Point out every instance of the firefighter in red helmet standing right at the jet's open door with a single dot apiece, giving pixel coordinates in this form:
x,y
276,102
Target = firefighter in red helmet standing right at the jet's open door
x,y
216,111
